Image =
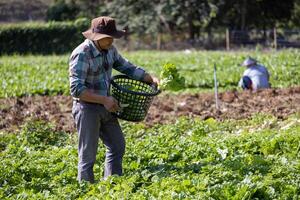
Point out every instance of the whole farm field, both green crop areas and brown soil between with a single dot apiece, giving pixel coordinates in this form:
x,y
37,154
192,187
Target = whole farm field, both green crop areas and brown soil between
x,y
185,148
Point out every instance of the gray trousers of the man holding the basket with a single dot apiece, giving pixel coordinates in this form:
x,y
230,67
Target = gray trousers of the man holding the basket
x,y
93,121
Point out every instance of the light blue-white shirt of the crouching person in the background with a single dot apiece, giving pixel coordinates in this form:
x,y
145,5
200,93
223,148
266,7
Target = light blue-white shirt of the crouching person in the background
x,y
259,76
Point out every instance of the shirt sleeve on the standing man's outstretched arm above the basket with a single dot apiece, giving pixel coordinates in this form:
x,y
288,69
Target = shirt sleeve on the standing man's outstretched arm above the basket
x,y
124,66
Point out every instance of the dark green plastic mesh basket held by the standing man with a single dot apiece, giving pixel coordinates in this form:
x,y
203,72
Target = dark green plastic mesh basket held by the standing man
x,y
134,97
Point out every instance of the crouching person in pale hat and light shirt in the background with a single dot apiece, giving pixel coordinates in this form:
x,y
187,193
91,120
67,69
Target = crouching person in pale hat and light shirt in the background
x,y
255,77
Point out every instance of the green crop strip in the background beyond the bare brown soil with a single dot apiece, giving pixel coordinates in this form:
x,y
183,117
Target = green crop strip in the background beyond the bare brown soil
x,y
48,75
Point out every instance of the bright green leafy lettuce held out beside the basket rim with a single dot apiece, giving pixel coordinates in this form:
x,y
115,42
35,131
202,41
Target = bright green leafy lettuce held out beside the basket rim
x,y
170,79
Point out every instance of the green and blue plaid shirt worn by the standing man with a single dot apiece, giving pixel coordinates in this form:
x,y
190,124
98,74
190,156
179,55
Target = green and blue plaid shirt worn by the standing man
x,y
91,69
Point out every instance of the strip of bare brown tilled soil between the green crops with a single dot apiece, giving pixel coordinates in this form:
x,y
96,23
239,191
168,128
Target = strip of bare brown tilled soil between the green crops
x,y
164,109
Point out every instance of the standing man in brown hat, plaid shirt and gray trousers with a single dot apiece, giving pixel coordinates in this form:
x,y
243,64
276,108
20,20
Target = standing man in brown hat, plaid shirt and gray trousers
x,y
90,70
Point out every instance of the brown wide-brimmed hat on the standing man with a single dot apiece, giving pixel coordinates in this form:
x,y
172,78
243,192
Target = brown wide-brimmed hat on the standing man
x,y
102,27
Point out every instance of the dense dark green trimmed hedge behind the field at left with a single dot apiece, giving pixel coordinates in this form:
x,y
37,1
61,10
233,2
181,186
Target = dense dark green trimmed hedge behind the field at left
x,y
41,38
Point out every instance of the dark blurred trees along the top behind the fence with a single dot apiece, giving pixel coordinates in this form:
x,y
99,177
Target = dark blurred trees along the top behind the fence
x,y
183,16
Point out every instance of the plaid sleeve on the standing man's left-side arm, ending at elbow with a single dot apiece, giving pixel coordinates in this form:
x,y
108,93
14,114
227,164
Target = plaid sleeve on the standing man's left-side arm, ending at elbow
x,y
78,68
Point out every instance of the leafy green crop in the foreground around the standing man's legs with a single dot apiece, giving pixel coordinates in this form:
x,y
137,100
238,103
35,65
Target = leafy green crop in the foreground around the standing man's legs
x,y
190,159
